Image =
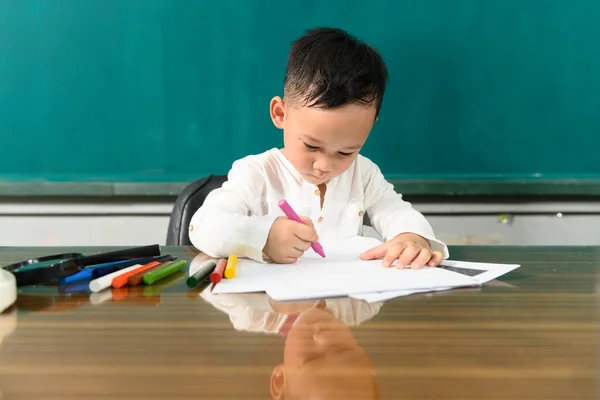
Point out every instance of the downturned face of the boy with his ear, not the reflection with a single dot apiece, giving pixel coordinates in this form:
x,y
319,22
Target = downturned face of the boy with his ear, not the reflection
x,y
322,143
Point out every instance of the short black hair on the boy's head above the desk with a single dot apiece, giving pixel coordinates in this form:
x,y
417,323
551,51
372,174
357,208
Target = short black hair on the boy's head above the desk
x,y
328,68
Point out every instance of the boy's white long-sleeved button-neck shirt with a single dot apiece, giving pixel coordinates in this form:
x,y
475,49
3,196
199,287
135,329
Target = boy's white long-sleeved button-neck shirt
x,y
237,218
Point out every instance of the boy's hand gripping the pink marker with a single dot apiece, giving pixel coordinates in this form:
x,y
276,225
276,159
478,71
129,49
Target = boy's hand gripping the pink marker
x,y
288,239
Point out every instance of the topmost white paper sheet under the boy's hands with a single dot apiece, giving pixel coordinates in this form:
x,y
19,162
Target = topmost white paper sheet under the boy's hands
x,y
341,273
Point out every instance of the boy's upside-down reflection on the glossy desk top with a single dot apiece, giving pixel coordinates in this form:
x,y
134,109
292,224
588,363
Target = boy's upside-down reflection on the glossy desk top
x,y
321,356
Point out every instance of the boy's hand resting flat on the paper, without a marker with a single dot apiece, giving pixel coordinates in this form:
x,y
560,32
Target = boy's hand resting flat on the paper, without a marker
x,y
408,249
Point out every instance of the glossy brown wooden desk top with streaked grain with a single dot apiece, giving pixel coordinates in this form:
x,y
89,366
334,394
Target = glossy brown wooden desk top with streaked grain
x,y
534,336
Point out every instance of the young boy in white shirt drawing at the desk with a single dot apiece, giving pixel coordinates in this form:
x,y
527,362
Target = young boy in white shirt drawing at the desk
x,y
333,90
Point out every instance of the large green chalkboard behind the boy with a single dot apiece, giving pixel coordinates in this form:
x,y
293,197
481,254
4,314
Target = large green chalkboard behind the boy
x,y
171,90
